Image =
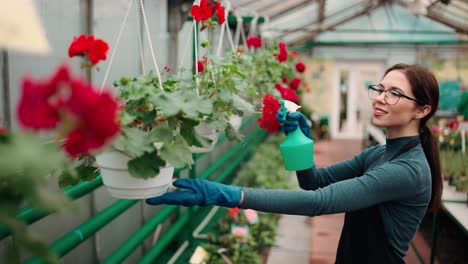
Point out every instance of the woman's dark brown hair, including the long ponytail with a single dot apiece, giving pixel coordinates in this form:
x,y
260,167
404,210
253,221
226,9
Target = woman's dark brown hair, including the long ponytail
x,y
426,91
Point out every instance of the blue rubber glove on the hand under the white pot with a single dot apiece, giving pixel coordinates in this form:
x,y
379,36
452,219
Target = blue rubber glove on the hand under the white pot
x,y
200,192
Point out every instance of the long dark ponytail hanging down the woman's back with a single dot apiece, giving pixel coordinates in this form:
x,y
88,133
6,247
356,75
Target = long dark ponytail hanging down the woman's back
x,y
431,150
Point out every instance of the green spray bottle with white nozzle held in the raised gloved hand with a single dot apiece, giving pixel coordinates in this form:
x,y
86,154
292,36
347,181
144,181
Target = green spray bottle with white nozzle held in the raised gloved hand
x,y
297,150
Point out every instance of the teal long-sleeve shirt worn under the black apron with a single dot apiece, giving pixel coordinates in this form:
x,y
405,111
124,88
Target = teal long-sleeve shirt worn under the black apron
x,y
401,187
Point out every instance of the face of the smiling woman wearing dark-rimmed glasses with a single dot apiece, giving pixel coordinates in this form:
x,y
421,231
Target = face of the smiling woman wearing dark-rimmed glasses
x,y
399,119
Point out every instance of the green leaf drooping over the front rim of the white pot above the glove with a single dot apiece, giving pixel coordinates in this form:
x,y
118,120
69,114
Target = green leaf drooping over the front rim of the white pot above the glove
x,y
145,166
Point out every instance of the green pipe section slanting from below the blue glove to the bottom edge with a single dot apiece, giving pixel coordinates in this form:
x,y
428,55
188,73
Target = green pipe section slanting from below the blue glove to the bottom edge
x,y
139,236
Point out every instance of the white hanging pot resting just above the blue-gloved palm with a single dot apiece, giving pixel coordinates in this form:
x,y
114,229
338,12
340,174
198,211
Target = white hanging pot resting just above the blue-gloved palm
x,y
121,184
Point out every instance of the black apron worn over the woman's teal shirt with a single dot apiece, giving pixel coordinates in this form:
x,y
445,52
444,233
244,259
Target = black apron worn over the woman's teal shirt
x,y
363,238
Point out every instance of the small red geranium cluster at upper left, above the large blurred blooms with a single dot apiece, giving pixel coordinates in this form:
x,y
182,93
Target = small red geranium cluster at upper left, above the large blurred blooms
x,y
96,49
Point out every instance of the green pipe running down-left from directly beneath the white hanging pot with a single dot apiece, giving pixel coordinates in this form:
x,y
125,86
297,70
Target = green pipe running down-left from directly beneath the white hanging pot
x,y
75,237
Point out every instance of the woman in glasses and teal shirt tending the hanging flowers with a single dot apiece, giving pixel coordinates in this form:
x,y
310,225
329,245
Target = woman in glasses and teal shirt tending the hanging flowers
x,y
384,191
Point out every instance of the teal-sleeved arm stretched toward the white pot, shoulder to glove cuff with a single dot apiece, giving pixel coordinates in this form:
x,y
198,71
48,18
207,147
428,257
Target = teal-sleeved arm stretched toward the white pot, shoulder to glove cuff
x,y
383,183
